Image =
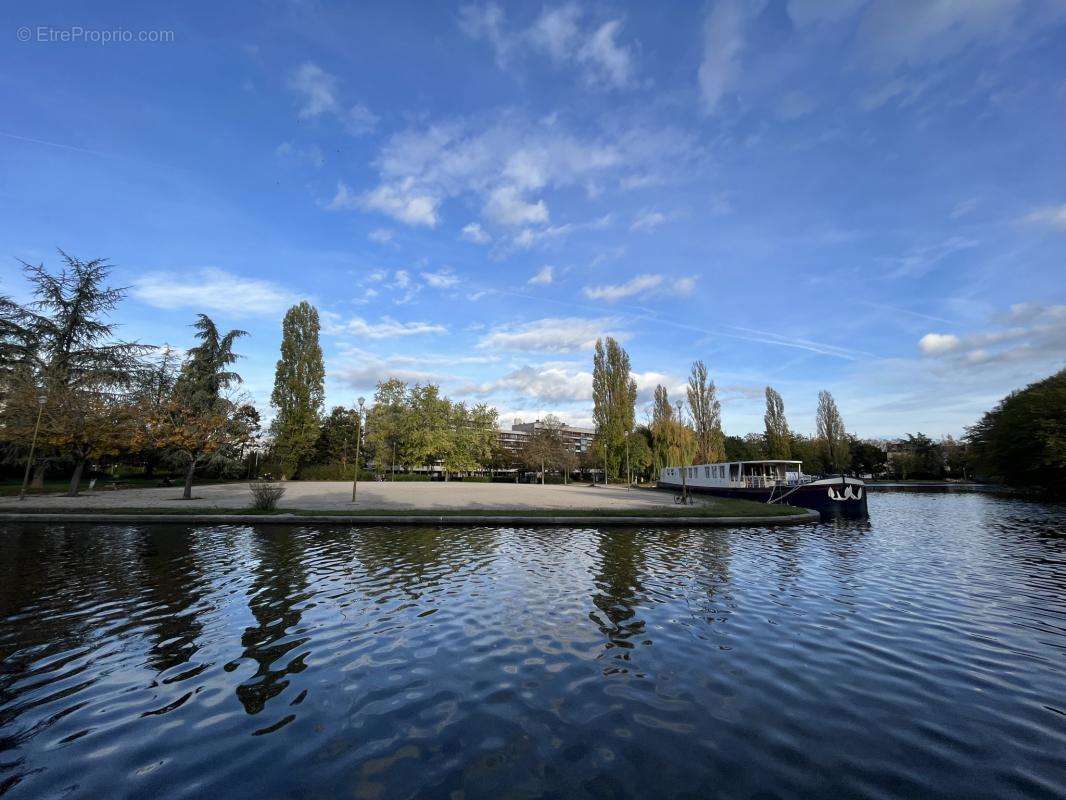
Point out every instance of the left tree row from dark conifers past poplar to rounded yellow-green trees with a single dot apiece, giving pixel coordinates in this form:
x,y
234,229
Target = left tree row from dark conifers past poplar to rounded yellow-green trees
x,y
73,395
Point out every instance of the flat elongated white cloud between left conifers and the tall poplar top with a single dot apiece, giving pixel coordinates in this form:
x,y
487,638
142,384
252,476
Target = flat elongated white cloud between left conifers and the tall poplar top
x,y
212,291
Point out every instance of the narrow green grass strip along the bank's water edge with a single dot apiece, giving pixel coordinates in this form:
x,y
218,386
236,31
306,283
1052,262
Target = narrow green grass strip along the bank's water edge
x,y
718,509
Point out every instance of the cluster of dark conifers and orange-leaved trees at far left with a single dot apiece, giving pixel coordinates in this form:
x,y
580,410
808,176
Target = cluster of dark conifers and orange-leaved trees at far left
x,y
73,394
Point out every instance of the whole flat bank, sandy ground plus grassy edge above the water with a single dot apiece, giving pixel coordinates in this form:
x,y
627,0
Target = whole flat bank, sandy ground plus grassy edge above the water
x,y
455,503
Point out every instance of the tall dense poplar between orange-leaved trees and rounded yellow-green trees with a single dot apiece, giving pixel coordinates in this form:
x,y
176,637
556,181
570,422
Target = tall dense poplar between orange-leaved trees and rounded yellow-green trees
x,y
299,392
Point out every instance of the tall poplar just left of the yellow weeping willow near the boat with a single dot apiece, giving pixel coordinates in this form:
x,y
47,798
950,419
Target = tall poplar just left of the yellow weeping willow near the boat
x,y
615,399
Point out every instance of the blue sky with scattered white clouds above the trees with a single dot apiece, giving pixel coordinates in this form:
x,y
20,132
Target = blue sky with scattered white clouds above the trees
x,y
868,198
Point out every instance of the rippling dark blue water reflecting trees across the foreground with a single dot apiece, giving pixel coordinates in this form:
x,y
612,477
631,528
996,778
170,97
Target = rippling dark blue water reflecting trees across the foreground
x,y
923,653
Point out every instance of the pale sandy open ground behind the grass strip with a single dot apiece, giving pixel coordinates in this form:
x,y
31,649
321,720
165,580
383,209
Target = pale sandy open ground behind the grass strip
x,y
331,495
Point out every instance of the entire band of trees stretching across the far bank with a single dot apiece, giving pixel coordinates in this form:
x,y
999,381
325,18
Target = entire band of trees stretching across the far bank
x,y
84,401
